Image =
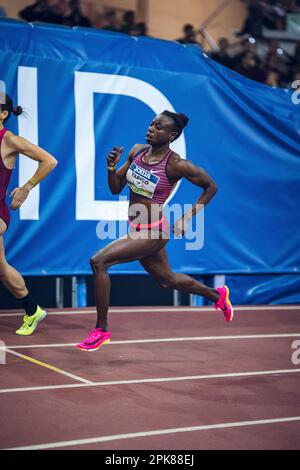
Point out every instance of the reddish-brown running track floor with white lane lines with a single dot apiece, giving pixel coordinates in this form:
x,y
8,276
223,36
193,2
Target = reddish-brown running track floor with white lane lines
x,y
194,397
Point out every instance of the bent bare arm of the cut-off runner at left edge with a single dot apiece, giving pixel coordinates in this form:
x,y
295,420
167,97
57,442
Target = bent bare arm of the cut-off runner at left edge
x,y
19,145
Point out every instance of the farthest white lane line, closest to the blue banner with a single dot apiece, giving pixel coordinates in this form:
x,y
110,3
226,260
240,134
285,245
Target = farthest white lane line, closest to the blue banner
x,y
162,310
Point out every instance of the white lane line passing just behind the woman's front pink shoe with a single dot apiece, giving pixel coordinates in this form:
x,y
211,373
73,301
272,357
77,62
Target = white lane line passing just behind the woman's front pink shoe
x,y
163,340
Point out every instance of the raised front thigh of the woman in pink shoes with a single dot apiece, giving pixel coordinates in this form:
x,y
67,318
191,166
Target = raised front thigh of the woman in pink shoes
x,y
127,249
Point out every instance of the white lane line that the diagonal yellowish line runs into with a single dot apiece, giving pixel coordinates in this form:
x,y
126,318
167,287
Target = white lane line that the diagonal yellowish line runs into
x,y
154,380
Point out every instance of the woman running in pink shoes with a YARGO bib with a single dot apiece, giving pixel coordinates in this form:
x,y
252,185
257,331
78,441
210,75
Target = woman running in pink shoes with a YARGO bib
x,y
152,172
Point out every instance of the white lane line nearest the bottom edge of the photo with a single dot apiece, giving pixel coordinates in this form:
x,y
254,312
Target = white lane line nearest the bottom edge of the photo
x,y
158,432
